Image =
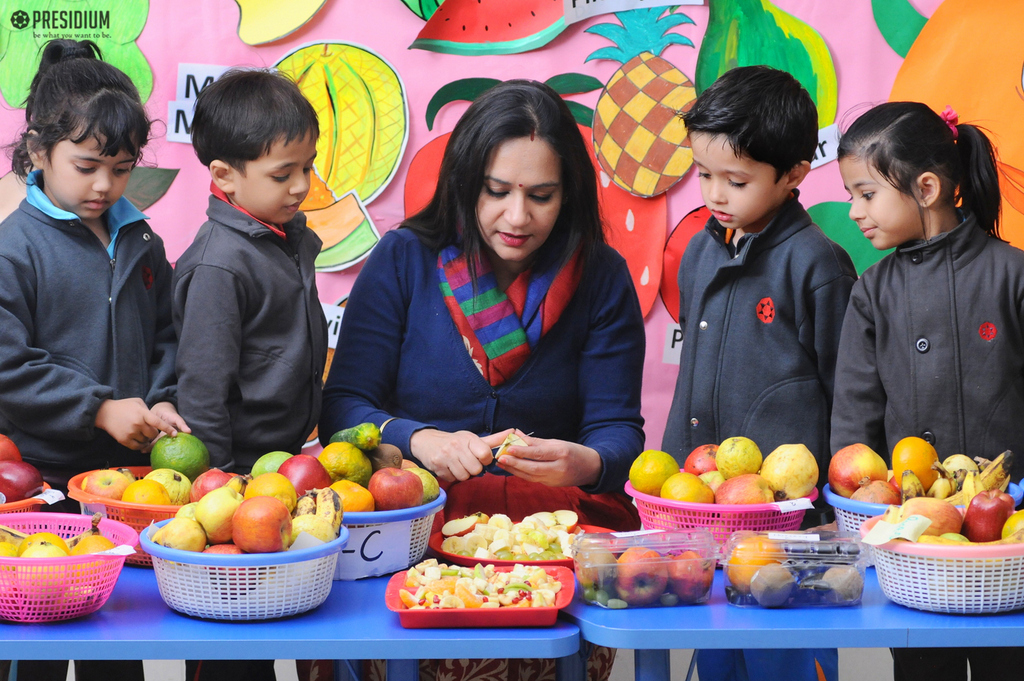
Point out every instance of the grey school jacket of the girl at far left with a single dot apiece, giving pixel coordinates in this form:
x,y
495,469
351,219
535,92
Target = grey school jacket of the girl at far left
x,y
78,328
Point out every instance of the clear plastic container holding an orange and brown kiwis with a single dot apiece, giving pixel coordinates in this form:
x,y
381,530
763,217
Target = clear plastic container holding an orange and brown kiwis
x,y
794,570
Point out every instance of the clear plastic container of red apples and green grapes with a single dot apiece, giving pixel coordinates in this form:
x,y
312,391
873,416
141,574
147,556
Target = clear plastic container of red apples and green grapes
x,y
646,569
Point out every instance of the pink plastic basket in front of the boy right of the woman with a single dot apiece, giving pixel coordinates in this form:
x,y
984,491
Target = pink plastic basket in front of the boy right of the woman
x,y
721,520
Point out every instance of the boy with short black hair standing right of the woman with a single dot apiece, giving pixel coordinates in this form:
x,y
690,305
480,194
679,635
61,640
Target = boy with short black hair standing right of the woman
x,y
763,293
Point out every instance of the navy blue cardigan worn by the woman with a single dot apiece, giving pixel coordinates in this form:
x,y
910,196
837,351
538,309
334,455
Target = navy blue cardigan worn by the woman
x,y
400,355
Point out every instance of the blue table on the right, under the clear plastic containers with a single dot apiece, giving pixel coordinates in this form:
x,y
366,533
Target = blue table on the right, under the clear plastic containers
x,y
877,623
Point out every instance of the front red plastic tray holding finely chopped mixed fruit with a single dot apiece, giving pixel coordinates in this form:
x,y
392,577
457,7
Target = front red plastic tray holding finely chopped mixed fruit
x,y
481,618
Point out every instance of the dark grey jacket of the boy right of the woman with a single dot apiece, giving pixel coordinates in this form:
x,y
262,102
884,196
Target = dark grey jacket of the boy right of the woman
x,y
760,336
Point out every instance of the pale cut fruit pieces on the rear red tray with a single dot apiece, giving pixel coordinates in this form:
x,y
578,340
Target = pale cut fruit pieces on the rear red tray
x,y
543,536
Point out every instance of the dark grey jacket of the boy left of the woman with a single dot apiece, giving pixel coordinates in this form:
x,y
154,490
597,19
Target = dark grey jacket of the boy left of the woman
x,y
252,336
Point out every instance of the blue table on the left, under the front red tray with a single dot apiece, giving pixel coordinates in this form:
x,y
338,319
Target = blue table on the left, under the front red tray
x,y
353,624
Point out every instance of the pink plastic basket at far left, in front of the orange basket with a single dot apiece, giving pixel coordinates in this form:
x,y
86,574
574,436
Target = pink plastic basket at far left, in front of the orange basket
x,y
35,590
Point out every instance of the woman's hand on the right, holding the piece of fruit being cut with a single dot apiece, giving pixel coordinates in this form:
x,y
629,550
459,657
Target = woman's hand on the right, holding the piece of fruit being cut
x,y
551,462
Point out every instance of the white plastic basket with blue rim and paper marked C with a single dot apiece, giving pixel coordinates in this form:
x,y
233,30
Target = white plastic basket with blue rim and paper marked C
x,y
386,542
